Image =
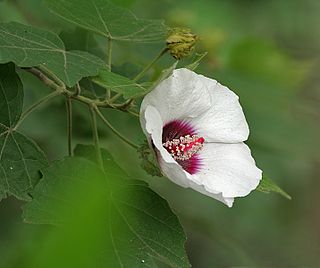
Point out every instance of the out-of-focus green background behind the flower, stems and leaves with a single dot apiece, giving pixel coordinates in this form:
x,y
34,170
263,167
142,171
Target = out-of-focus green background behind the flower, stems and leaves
x,y
267,52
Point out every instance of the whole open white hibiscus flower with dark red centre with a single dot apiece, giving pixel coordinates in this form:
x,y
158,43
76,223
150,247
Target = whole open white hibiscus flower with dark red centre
x,y
197,128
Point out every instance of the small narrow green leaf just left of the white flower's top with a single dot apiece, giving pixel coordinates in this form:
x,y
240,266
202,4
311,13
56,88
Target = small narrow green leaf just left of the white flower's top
x,y
120,84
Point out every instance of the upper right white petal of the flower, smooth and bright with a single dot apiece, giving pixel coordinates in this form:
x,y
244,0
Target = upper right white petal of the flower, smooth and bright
x,y
225,120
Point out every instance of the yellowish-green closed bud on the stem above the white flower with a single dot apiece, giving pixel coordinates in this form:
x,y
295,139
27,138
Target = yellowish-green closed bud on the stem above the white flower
x,y
180,42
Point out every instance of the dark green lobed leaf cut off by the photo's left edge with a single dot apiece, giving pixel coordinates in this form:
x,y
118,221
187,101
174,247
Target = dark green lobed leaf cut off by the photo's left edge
x,y
20,157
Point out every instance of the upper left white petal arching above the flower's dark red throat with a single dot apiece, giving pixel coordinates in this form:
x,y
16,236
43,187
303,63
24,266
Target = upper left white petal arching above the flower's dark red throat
x,y
181,96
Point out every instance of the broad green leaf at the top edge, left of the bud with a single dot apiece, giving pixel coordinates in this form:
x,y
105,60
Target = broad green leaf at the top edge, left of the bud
x,y
102,17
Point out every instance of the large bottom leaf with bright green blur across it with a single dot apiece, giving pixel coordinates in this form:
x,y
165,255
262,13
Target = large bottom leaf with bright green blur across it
x,y
121,225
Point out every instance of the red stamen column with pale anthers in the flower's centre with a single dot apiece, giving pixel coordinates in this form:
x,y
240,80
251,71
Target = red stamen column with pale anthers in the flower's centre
x,y
184,147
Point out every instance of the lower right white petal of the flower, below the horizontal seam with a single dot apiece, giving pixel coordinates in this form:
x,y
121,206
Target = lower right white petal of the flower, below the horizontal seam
x,y
228,169
